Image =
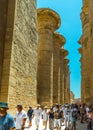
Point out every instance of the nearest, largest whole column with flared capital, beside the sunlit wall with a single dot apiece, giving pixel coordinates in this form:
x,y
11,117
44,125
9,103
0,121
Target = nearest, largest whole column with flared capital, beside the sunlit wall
x,y
48,22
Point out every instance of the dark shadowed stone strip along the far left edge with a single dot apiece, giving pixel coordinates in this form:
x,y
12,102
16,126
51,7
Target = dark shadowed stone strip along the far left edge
x,y
3,16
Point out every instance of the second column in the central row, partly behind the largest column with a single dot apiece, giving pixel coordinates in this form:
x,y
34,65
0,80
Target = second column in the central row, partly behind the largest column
x,y
59,41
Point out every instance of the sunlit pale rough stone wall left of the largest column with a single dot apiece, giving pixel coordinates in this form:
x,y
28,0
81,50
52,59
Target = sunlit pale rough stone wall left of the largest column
x,y
22,85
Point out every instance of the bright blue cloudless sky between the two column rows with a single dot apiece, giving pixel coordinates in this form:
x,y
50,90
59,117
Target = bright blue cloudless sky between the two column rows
x,y
71,28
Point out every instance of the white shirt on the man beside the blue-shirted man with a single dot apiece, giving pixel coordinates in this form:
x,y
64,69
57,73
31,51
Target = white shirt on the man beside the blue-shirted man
x,y
19,118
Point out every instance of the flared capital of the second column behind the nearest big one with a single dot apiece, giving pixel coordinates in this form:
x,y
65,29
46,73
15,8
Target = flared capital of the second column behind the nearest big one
x,y
59,39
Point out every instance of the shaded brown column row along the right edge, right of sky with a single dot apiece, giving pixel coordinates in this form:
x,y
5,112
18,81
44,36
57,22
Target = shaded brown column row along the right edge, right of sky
x,y
86,51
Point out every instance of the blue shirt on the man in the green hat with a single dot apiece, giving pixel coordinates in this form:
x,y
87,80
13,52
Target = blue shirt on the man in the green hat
x,y
6,122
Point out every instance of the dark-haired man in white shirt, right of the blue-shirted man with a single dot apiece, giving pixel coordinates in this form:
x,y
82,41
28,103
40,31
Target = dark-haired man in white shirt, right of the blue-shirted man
x,y
20,118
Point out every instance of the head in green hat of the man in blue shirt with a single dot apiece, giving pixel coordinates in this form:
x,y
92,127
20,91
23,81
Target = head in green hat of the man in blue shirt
x,y
3,108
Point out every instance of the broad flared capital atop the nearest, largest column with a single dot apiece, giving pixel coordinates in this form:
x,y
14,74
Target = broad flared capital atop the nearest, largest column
x,y
48,19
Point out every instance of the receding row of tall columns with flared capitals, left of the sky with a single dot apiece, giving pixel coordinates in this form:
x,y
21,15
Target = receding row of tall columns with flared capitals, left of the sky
x,y
53,81
